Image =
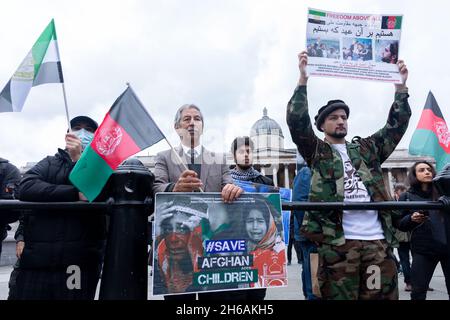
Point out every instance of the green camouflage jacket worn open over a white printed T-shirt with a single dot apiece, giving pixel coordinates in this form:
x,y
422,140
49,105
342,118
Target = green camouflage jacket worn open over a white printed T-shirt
x,y
327,180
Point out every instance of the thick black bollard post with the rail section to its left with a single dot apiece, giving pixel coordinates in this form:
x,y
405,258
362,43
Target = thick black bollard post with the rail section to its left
x,y
124,274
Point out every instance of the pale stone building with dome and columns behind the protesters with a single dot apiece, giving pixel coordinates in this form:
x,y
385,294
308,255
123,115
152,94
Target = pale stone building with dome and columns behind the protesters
x,y
280,164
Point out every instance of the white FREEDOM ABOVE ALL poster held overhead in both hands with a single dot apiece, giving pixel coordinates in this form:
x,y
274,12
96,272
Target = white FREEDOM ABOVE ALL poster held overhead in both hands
x,y
353,46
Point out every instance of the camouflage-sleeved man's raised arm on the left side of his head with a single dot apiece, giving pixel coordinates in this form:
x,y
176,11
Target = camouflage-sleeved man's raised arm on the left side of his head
x,y
297,115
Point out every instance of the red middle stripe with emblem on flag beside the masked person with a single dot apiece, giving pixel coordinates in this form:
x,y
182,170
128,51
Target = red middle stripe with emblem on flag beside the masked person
x,y
113,143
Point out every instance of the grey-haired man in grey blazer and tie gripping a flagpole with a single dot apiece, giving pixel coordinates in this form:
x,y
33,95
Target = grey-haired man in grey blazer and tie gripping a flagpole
x,y
191,167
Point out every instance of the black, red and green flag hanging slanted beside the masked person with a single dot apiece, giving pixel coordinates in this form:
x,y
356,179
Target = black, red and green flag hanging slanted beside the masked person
x,y
126,129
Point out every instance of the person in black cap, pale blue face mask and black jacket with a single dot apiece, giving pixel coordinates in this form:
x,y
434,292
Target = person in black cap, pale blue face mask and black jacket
x,y
61,254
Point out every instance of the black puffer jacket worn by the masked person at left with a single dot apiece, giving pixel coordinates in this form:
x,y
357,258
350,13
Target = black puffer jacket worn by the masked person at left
x,y
56,239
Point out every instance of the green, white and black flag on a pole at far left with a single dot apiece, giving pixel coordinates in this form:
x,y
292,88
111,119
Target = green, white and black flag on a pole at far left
x,y
41,65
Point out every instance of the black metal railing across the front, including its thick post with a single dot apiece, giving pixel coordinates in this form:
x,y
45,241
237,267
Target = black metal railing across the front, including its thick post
x,y
125,268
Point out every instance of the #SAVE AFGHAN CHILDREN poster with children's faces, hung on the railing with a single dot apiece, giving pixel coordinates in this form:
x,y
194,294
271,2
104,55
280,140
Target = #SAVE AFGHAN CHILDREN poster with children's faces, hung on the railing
x,y
202,244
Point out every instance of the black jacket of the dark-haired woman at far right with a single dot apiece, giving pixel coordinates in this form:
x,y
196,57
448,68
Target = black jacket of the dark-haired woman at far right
x,y
422,241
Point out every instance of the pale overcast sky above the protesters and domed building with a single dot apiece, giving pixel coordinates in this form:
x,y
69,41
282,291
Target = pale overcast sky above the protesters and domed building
x,y
232,58
